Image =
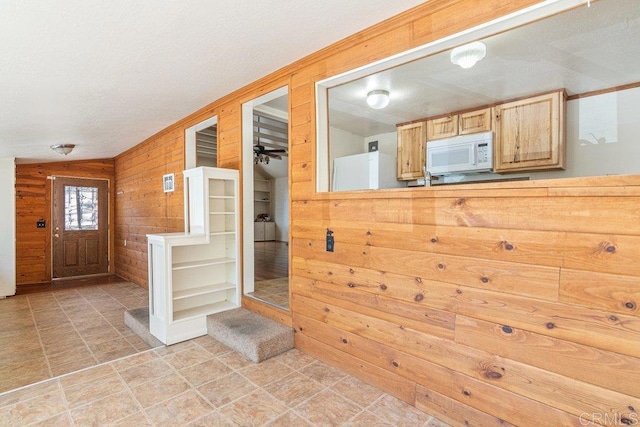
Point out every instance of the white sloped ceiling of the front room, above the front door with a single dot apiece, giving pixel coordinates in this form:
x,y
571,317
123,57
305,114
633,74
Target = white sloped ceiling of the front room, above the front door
x,y
105,75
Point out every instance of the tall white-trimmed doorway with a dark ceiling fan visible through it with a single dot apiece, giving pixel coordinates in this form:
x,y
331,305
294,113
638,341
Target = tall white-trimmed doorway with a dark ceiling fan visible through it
x,y
265,176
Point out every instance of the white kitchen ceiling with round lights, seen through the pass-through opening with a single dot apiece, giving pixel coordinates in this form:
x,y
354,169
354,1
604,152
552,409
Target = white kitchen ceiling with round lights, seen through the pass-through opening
x,y
583,50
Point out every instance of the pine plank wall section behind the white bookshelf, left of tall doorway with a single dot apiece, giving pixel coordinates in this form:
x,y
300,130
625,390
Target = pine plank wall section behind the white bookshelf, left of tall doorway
x,y
142,206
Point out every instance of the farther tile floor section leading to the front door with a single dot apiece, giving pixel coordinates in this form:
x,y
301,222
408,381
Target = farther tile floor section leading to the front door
x,y
47,334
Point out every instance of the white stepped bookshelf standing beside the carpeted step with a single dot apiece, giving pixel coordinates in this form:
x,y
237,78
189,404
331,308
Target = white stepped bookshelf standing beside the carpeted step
x,y
197,273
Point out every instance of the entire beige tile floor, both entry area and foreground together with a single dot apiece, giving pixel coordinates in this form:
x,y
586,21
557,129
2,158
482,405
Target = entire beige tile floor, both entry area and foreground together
x,y
74,342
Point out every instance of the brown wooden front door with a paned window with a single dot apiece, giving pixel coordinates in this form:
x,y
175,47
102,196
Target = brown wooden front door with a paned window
x,y
80,227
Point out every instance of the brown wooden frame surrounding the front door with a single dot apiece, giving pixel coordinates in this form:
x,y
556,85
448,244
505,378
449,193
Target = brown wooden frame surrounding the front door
x,y
49,221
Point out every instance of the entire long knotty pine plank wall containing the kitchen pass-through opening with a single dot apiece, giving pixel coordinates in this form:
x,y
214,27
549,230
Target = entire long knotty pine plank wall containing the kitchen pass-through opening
x,y
487,304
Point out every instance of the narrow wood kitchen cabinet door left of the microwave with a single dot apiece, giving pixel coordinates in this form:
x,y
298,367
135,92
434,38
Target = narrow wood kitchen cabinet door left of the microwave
x,y
412,139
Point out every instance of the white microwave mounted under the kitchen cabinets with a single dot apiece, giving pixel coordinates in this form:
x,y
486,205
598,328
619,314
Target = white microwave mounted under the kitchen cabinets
x,y
461,154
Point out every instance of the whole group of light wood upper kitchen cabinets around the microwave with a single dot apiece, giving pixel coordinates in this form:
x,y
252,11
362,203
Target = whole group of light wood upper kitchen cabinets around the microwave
x,y
529,135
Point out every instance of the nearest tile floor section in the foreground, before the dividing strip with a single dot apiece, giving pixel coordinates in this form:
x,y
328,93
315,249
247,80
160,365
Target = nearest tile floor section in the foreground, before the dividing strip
x,y
203,383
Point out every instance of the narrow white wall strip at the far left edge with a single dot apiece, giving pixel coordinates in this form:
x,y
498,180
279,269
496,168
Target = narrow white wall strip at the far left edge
x,y
7,227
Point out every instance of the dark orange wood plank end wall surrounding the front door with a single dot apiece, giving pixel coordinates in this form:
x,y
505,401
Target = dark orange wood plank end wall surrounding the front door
x,y
33,202
